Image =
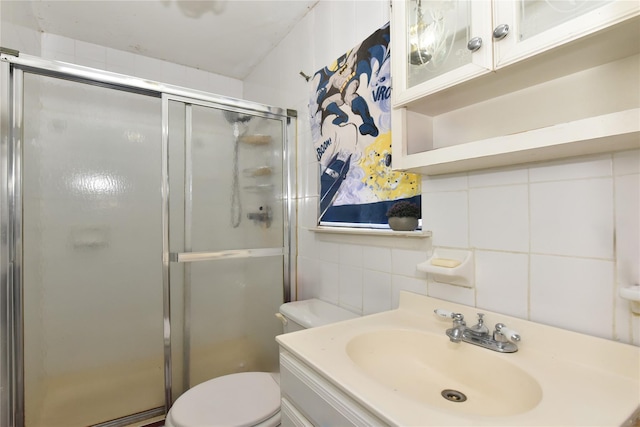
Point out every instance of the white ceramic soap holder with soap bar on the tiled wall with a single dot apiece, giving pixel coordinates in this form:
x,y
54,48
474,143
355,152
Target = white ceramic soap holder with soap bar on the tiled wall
x,y
451,266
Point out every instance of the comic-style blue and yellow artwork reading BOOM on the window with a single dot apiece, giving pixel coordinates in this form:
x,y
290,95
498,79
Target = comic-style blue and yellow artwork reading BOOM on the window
x,y
350,109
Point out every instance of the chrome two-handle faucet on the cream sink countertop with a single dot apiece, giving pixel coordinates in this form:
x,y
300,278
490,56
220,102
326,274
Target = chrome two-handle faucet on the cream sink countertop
x,y
502,339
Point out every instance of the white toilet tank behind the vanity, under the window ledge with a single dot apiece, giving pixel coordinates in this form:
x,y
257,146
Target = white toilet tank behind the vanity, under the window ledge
x,y
311,313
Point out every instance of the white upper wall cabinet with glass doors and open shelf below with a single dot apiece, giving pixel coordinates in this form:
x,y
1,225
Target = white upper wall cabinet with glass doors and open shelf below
x,y
481,83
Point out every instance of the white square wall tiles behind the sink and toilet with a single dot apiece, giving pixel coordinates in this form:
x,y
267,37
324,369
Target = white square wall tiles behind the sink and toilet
x,y
552,248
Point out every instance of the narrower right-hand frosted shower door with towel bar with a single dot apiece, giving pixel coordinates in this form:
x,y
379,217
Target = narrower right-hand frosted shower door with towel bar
x,y
227,239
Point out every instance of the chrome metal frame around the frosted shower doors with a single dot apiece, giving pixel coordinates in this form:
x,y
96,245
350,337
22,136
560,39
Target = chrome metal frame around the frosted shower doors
x,y
12,69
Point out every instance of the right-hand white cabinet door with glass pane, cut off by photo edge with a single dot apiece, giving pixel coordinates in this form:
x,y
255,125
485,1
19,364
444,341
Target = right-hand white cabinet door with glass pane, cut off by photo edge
x,y
536,26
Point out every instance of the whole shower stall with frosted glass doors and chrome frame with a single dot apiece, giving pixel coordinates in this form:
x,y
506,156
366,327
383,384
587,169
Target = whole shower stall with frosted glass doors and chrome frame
x,y
146,242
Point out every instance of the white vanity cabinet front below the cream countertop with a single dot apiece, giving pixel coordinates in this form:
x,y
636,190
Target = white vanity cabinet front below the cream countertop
x,y
308,399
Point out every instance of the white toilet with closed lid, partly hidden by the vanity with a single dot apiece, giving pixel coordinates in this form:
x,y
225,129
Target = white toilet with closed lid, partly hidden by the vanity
x,y
249,398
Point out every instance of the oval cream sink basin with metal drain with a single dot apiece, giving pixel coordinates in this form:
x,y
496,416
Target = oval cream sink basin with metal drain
x,y
422,366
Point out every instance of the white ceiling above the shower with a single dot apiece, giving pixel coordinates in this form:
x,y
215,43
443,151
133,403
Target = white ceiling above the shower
x,y
226,37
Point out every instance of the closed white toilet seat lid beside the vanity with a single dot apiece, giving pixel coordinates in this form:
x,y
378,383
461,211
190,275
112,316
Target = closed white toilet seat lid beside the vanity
x,y
241,400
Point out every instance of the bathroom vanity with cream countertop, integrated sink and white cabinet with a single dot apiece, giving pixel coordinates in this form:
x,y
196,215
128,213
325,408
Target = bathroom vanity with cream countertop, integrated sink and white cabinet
x,y
400,368
